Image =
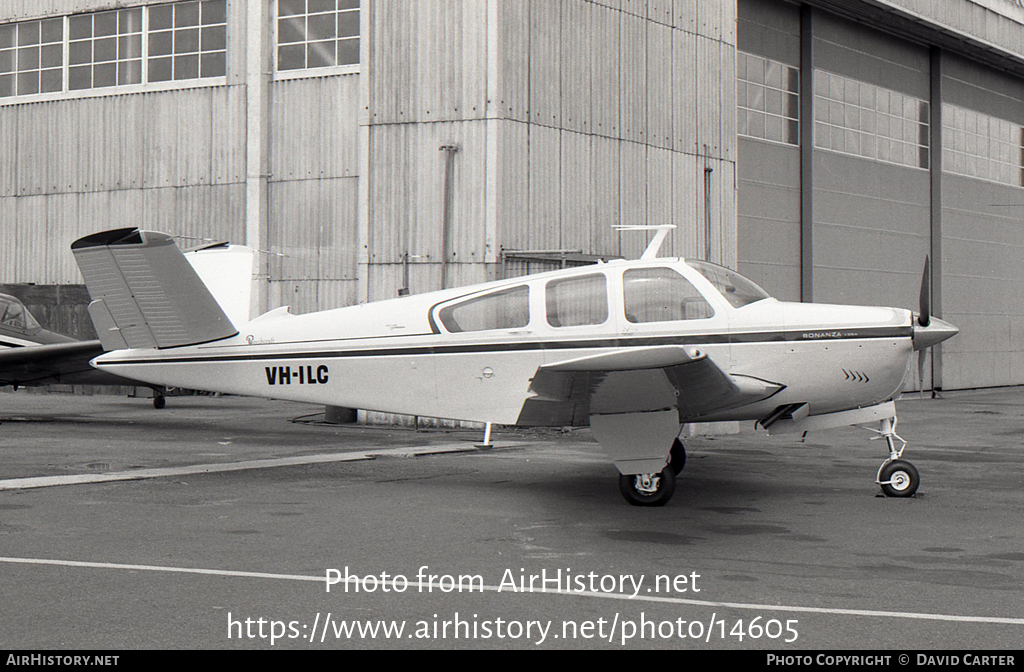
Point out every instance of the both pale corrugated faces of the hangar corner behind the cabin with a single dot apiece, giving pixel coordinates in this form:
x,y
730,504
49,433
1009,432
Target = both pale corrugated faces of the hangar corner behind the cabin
x,y
591,114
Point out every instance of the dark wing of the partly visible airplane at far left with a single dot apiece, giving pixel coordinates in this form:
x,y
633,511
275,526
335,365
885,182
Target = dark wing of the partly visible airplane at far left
x,y
56,363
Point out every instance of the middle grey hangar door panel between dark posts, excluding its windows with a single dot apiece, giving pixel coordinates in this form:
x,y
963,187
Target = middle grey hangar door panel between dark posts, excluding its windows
x,y
872,219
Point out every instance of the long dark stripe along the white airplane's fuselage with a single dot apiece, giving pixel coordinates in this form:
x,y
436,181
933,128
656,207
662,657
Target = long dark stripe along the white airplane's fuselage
x,y
697,340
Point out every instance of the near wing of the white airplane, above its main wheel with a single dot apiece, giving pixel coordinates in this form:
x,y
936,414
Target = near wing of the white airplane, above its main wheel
x,y
637,381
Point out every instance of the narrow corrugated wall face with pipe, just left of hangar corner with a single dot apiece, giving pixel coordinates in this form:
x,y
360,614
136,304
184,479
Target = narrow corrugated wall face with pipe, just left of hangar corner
x,y
428,90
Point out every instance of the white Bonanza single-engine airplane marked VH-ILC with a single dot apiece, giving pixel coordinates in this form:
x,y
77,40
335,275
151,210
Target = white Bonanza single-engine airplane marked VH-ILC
x,y
635,350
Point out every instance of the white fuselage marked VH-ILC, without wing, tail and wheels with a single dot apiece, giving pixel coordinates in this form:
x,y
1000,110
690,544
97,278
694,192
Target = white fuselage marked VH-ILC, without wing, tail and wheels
x,y
471,354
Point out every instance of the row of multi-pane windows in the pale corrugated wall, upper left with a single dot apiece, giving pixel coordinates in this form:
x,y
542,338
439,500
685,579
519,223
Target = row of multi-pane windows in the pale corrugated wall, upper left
x,y
168,43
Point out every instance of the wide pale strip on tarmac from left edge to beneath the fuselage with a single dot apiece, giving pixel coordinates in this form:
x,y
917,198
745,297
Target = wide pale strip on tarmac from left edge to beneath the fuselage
x,y
161,473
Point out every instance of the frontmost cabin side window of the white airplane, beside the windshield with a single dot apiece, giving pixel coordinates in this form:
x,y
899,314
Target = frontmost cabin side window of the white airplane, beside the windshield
x,y
662,296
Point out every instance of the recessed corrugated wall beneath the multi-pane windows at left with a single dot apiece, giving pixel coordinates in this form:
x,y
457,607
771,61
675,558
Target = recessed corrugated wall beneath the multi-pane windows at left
x,y
176,161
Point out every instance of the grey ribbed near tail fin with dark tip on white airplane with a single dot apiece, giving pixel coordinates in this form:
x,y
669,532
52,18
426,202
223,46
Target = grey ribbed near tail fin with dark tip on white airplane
x,y
145,292
